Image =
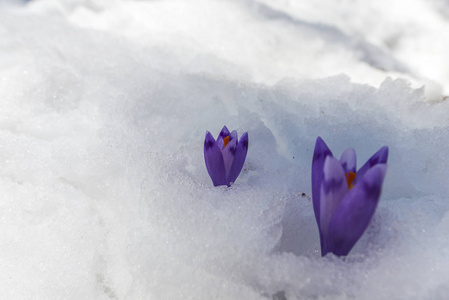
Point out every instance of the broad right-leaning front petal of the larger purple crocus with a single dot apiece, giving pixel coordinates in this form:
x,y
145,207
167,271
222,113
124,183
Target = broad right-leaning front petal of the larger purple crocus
x,y
355,211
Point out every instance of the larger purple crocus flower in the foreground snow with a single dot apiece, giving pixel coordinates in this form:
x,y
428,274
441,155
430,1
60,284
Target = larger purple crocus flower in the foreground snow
x,y
344,200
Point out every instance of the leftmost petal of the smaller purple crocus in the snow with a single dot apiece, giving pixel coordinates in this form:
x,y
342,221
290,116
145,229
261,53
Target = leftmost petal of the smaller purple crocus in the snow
x,y
214,160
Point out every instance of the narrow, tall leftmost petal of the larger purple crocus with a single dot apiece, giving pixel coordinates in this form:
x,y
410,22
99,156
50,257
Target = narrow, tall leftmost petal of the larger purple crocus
x,y
319,155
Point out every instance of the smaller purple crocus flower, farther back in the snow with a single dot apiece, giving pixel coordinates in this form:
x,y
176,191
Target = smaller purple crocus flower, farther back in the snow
x,y
225,156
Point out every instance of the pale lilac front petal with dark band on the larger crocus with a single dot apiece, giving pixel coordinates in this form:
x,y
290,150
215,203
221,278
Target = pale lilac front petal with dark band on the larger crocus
x,y
333,189
